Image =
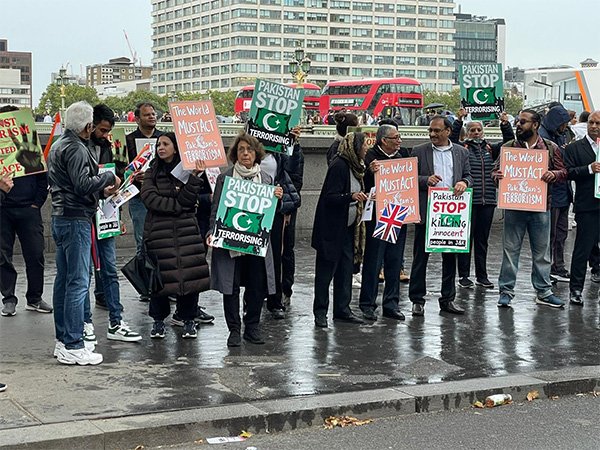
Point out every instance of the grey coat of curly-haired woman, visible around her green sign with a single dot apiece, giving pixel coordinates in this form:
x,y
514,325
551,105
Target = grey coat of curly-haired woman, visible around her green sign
x,y
221,263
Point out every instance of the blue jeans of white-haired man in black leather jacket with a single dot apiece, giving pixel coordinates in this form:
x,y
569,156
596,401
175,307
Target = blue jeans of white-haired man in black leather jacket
x,y
73,246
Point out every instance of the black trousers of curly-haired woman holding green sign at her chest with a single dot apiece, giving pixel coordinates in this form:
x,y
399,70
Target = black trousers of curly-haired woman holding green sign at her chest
x,y
249,272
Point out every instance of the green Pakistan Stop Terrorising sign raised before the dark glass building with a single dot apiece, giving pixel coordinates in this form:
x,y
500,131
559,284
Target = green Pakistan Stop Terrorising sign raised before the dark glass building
x,y
481,90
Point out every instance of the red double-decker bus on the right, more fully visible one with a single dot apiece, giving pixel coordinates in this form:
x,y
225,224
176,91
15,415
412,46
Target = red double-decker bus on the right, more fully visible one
x,y
390,97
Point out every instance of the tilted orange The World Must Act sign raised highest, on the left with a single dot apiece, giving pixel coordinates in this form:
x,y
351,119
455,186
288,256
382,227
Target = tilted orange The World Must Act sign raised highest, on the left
x,y
197,132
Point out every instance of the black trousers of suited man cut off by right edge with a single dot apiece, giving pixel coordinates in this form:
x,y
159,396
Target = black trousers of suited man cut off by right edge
x,y
587,237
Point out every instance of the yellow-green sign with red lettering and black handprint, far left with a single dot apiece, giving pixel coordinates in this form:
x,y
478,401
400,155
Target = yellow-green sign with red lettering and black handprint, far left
x,y
20,150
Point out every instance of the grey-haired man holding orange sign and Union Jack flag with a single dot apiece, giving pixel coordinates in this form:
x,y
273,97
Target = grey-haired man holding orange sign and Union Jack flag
x,y
377,251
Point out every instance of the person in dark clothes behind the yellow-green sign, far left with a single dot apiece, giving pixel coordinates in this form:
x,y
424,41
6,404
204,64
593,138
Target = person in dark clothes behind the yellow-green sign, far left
x,y
21,216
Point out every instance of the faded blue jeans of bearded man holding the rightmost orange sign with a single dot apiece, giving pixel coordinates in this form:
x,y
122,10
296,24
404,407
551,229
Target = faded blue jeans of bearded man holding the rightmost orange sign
x,y
537,226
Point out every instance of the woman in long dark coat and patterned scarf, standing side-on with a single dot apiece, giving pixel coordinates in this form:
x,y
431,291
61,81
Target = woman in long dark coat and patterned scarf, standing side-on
x,y
338,234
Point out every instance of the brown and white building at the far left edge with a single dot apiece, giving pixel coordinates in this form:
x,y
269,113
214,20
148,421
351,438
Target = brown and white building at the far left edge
x,y
15,77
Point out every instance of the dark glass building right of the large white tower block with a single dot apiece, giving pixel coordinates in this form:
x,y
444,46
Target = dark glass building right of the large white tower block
x,y
479,40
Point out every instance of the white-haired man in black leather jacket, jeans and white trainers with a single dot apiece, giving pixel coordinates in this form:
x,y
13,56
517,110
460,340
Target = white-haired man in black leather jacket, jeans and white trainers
x,y
75,187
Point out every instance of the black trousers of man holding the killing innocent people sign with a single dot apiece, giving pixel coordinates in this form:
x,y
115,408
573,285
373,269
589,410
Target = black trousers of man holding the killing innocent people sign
x,y
418,287
